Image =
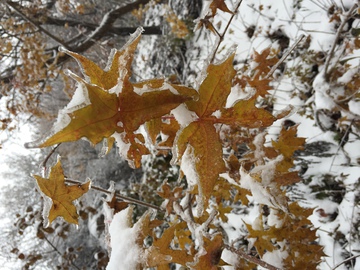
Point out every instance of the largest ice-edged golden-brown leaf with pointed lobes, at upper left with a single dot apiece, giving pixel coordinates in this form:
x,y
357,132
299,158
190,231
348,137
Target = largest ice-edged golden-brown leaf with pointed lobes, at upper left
x,y
118,106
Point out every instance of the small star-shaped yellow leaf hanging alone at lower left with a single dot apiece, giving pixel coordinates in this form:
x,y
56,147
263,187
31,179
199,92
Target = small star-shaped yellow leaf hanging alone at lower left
x,y
61,194
